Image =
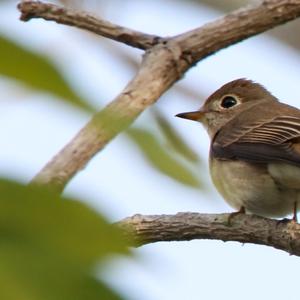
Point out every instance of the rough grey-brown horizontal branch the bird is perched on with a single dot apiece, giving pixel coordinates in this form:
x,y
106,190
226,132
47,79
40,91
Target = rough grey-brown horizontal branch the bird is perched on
x,y
283,235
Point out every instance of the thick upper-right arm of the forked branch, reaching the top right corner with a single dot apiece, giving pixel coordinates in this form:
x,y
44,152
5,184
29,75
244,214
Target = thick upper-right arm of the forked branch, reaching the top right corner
x,y
237,26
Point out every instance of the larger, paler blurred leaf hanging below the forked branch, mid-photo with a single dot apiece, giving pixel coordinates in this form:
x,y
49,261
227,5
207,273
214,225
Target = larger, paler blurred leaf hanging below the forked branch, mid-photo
x,y
159,158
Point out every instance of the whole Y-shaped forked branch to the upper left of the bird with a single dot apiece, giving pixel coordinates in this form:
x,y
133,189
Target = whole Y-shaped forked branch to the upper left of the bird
x,y
163,65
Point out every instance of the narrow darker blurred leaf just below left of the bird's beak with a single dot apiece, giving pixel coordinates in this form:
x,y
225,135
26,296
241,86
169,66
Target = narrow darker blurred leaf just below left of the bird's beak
x,y
174,139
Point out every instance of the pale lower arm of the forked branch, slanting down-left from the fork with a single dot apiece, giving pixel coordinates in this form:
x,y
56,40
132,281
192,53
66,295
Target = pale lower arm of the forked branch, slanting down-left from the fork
x,y
142,91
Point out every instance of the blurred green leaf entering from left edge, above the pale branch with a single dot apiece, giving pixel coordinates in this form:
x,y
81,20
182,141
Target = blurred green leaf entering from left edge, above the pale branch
x,y
37,72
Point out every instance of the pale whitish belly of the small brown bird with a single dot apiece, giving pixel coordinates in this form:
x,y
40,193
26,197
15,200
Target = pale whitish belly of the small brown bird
x,y
260,190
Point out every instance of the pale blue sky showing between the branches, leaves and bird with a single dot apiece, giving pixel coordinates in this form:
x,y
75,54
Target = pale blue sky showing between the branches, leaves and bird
x,y
33,128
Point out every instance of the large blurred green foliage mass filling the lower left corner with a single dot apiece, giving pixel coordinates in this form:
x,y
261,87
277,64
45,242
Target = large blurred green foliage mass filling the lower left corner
x,y
50,246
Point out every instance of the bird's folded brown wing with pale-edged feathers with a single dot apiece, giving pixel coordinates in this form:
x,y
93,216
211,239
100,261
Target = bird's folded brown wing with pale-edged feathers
x,y
276,139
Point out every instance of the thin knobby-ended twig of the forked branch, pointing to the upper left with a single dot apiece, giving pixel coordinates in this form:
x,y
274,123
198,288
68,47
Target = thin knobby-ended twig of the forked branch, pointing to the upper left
x,y
67,16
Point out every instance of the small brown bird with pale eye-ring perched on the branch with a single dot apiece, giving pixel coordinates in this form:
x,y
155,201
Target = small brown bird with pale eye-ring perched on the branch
x,y
254,156
